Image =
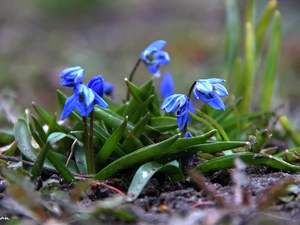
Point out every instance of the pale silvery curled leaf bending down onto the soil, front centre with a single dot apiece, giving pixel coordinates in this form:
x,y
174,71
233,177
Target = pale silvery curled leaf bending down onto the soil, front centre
x,y
146,171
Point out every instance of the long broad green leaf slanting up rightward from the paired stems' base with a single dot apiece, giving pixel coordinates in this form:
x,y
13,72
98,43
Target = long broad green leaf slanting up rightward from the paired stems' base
x,y
133,158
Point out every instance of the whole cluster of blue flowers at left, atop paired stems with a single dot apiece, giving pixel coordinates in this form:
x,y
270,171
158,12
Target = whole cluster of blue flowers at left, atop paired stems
x,y
84,97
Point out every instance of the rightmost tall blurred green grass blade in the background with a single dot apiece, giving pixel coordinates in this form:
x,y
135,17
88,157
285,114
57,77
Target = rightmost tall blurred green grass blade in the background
x,y
269,76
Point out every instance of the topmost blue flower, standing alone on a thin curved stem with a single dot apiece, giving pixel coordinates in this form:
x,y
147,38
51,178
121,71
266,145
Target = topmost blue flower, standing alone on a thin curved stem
x,y
153,57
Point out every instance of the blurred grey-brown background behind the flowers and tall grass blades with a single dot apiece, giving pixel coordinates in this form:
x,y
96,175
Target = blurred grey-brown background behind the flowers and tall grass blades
x,y
39,38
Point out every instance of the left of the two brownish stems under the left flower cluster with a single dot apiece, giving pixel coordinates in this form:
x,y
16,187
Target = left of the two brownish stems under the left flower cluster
x,y
86,141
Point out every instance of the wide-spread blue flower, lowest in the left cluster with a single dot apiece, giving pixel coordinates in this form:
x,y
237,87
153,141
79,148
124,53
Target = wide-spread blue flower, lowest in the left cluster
x,y
83,100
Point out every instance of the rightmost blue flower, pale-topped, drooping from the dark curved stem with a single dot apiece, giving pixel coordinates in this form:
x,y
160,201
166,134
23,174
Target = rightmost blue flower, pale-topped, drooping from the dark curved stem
x,y
211,91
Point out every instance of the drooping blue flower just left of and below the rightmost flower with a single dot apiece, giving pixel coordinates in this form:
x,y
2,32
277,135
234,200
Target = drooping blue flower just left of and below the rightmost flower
x,y
180,104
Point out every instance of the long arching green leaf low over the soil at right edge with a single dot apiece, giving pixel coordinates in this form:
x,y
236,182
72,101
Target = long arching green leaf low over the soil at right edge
x,y
249,158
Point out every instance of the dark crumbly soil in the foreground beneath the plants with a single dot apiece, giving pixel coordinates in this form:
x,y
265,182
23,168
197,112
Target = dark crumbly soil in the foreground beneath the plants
x,y
186,203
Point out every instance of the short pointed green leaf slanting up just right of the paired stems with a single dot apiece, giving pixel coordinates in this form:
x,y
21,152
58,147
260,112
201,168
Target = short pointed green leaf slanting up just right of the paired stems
x,y
111,143
